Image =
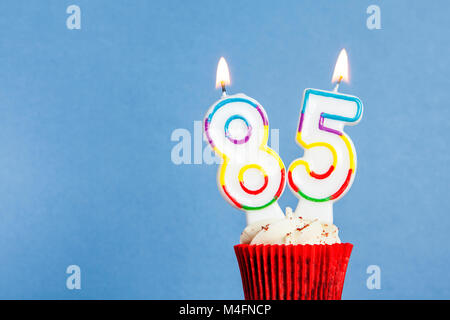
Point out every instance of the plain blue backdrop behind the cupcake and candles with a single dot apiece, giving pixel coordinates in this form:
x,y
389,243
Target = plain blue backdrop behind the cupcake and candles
x,y
86,117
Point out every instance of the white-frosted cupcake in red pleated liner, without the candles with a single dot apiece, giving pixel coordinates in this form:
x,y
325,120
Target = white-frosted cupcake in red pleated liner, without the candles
x,y
292,259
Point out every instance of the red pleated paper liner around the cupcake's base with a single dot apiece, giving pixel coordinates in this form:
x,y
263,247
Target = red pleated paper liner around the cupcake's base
x,y
293,272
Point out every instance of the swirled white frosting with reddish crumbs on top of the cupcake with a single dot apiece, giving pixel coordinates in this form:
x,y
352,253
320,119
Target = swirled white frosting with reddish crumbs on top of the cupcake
x,y
290,230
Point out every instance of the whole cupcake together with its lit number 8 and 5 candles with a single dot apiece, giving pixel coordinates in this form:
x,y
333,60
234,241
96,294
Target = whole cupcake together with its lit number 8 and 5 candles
x,y
286,256
